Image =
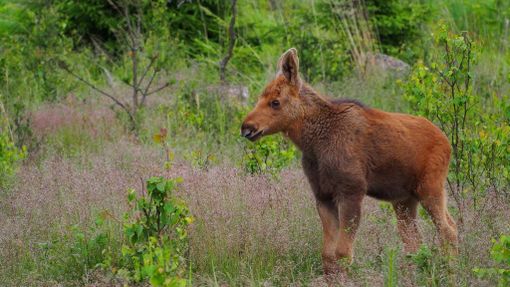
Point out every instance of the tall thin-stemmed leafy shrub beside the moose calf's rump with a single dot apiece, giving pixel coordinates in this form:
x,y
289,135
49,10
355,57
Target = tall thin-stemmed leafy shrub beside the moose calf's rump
x,y
443,93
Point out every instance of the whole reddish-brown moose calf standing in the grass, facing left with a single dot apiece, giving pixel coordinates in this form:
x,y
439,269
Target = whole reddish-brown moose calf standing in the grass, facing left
x,y
351,151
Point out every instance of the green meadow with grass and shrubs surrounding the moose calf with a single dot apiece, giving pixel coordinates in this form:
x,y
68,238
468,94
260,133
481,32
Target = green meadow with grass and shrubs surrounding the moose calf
x,y
122,163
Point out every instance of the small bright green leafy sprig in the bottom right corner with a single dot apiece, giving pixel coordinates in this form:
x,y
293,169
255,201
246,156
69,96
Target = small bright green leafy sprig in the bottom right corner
x,y
500,253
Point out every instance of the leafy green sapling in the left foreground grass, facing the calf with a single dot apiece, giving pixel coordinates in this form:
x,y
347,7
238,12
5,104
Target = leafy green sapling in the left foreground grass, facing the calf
x,y
156,235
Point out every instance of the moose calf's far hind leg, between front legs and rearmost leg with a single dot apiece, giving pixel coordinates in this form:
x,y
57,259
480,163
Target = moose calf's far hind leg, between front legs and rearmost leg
x,y
406,221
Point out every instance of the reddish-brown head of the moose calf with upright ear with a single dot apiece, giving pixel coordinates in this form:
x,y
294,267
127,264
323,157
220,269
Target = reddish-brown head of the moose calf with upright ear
x,y
279,104
